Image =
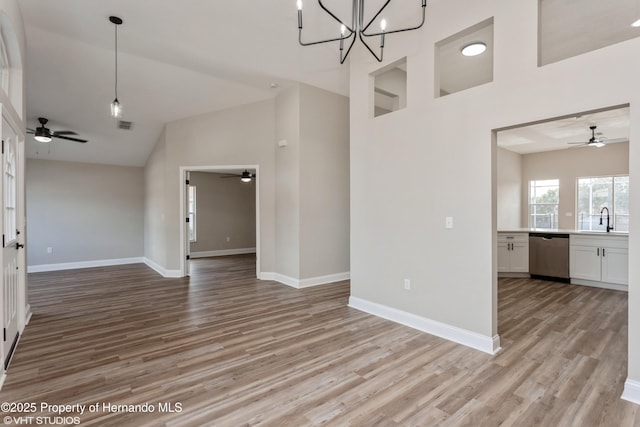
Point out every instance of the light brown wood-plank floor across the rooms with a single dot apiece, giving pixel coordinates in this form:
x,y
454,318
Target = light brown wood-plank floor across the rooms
x,y
235,351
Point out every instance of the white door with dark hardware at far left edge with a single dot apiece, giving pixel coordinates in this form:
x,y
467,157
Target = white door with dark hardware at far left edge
x,y
11,241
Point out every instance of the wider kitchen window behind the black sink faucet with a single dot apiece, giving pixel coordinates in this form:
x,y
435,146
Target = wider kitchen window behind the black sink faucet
x,y
596,193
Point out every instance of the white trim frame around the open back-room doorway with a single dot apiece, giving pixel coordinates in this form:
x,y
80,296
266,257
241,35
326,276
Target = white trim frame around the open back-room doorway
x,y
184,239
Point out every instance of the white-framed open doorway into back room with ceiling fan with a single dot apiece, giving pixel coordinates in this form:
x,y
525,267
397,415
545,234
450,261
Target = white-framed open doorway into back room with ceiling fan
x,y
216,217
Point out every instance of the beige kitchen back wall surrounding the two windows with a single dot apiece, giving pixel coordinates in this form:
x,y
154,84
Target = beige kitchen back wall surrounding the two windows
x,y
568,166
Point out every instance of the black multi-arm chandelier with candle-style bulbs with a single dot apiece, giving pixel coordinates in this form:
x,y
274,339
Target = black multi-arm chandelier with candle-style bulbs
x,y
358,28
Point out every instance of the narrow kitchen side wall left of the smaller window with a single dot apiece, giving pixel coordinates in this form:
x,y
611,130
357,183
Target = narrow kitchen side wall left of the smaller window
x,y
509,189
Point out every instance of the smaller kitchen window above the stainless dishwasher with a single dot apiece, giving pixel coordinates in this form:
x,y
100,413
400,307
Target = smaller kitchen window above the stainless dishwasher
x,y
544,196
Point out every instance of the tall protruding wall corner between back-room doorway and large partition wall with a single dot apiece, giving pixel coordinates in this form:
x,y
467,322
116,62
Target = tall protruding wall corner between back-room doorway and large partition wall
x,y
312,192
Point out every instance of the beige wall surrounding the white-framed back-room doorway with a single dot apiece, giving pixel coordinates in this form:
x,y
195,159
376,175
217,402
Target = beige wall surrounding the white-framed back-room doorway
x,y
239,136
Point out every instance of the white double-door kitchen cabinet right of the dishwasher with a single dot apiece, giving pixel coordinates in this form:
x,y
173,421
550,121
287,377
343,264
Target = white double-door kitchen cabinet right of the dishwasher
x,y
599,260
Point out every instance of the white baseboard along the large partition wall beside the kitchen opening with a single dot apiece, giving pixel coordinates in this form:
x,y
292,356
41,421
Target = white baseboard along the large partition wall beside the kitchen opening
x,y
471,339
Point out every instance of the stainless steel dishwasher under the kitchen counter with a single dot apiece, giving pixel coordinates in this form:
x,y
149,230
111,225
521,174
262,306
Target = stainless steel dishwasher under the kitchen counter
x,y
549,255
